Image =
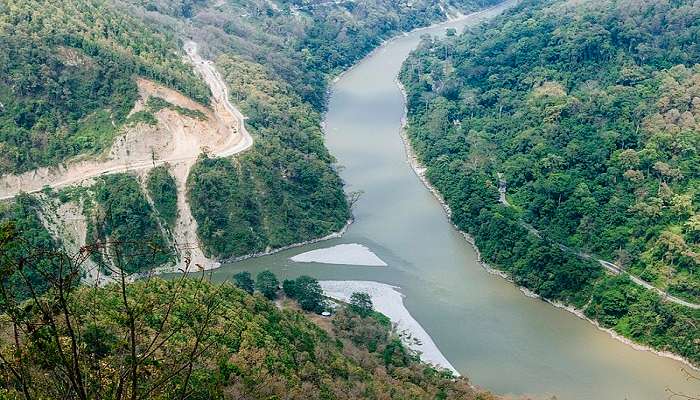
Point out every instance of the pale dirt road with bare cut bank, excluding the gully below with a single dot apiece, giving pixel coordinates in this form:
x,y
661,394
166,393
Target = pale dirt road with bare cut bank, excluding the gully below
x,y
224,135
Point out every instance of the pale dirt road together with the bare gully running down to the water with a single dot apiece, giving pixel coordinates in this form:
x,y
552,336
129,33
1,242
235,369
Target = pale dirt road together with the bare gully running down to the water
x,y
175,140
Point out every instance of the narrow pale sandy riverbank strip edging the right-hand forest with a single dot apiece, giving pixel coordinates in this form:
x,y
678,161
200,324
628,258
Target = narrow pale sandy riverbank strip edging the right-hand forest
x,y
420,170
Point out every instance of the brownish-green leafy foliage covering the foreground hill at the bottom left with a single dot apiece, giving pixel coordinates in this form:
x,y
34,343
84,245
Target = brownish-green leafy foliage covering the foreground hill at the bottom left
x,y
244,347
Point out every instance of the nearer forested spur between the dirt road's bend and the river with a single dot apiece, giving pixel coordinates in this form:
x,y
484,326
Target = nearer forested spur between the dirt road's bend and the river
x,y
280,192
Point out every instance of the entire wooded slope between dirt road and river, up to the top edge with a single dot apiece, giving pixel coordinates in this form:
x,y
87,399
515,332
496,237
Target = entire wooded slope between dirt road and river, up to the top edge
x,y
277,59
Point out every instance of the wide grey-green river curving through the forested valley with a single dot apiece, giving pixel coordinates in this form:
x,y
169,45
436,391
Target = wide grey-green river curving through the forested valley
x,y
491,332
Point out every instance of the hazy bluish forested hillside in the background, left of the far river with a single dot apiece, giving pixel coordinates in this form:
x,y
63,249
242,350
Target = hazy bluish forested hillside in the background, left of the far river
x,y
300,42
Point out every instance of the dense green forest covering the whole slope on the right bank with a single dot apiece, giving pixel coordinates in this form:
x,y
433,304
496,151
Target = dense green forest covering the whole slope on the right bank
x,y
585,113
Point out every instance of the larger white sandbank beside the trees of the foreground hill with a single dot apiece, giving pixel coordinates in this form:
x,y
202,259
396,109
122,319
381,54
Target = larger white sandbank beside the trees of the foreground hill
x,y
388,301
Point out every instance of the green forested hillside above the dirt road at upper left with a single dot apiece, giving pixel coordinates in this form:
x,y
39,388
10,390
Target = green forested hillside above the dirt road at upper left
x,y
67,77
